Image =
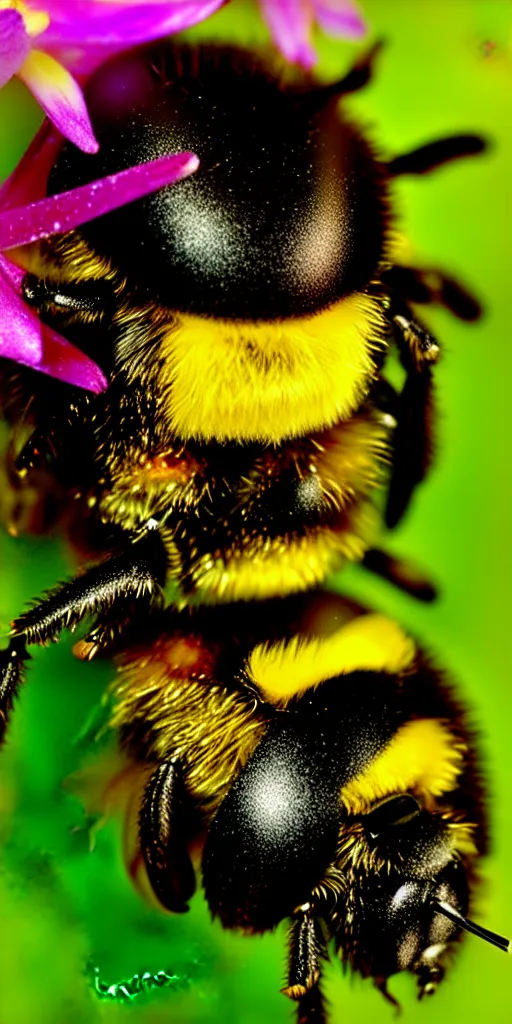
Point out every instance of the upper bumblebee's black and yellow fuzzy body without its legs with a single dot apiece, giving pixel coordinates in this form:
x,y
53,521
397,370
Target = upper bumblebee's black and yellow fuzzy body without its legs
x,y
249,440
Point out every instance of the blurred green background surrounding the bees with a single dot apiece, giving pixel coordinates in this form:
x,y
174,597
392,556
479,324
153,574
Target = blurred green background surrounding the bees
x,y
448,67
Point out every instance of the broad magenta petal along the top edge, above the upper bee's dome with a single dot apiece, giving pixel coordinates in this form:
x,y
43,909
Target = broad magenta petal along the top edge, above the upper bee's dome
x,y
84,33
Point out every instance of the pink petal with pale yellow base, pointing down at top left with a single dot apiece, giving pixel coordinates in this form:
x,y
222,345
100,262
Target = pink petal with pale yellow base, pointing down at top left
x,y
61,98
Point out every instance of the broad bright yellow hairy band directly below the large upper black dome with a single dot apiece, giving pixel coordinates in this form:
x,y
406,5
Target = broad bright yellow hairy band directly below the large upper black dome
x,y
235,380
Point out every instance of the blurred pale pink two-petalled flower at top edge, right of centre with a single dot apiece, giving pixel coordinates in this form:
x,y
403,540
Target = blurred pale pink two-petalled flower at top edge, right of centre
x,y
291,23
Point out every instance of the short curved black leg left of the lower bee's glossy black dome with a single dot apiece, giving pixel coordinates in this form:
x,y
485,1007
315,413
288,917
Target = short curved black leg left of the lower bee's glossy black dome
x,y
162,827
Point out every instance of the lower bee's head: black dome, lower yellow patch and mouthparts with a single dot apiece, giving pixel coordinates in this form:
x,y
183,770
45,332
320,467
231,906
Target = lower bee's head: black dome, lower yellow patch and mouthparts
x,y
354,814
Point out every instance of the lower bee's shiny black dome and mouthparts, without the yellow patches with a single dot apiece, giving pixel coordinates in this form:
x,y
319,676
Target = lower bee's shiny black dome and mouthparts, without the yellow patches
x,y
280,848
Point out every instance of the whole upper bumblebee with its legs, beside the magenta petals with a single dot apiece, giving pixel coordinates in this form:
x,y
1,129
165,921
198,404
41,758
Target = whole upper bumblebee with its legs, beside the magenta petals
x,y
243,319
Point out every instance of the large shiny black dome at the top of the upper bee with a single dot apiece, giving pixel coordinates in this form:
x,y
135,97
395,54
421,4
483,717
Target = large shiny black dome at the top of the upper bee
x,y
279,222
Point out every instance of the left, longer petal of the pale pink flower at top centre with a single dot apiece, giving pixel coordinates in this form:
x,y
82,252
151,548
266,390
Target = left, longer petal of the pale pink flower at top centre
x,y
290,23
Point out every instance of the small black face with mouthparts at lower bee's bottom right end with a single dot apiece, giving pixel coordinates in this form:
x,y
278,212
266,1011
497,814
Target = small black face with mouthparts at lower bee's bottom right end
x,y
398,864
